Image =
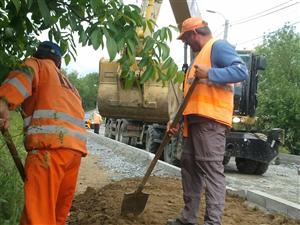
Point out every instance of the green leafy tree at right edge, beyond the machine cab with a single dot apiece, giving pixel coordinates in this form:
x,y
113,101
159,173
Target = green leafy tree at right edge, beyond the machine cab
x,y
279,85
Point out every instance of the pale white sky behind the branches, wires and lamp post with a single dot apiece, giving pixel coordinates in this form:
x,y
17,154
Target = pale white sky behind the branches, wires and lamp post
x,y
249,21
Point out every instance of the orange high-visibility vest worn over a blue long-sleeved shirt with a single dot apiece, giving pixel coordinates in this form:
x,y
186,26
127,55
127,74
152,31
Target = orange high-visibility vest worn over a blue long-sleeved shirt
x,y
210,100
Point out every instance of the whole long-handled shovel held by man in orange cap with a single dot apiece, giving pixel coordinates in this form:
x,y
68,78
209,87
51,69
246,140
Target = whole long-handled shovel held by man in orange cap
x,y
134,203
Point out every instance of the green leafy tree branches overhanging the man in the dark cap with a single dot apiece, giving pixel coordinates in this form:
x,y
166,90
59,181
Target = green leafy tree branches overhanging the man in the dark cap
x,y
98,23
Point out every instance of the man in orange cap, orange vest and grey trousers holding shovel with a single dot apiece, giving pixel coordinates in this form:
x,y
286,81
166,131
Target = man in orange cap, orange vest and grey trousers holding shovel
x,y
207,116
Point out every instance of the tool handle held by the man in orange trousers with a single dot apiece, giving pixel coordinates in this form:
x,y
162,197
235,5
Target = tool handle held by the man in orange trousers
x,y
14,153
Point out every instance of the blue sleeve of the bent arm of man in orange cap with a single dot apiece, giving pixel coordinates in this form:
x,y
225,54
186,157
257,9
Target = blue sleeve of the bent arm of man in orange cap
x,y
227,66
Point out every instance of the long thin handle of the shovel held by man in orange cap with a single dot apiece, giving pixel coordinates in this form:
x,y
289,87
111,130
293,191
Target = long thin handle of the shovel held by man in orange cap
x,y
167,138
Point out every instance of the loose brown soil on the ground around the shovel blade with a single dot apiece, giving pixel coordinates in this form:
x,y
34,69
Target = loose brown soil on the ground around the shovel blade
x,y
102,207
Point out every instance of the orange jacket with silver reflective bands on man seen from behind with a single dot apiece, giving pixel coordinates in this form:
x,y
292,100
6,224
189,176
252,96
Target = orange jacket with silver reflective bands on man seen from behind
x,y
54,117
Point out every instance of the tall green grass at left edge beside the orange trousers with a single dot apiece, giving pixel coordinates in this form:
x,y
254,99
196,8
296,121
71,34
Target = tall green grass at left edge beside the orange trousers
x,y
11,185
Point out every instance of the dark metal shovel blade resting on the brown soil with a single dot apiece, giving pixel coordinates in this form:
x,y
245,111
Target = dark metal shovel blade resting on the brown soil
x,y
134,203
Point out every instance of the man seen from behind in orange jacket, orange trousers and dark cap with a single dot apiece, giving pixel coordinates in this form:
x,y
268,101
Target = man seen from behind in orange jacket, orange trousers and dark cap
x,y
54,133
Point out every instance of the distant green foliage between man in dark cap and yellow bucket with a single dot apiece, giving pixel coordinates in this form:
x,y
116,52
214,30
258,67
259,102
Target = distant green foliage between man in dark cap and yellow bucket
x,y
87,87
